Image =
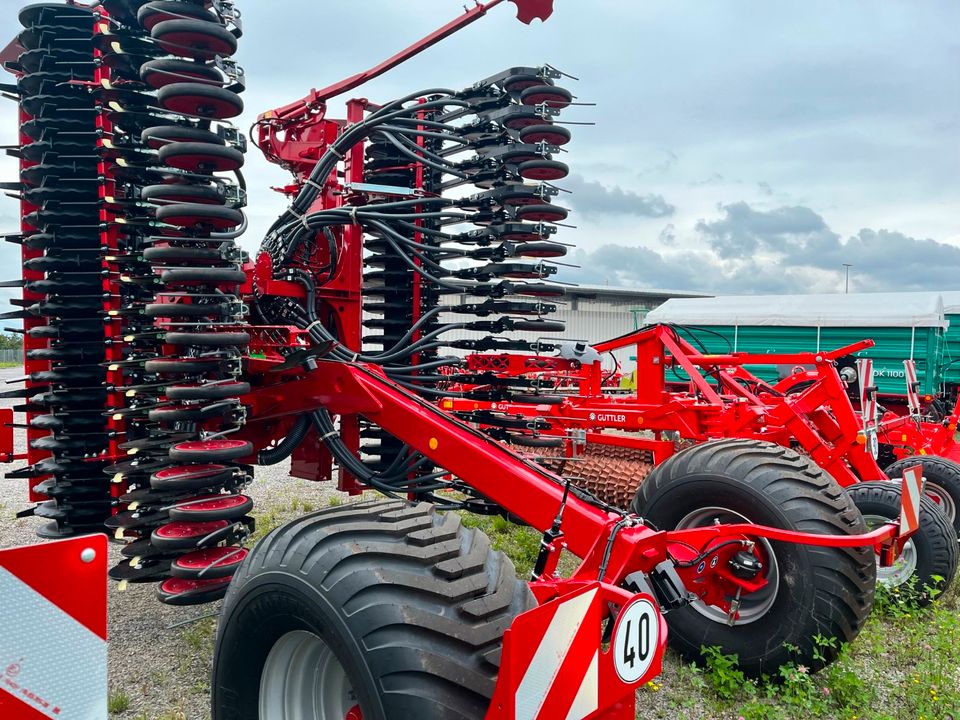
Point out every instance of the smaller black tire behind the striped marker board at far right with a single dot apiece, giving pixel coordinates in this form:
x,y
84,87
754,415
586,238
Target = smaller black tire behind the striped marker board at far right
x,y
934,545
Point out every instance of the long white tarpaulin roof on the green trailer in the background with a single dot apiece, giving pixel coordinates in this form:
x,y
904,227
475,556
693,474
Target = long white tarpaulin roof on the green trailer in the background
x,y
854,310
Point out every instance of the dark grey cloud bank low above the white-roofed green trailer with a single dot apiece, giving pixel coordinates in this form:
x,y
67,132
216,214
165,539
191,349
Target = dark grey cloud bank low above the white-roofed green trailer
x,y
784,250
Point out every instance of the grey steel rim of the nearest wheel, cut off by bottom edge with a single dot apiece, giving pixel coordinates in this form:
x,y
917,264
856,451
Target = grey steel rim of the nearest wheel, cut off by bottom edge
x,y
303,680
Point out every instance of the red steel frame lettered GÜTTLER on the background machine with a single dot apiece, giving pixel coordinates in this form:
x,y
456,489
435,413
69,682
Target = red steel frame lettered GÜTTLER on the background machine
x,y
819,417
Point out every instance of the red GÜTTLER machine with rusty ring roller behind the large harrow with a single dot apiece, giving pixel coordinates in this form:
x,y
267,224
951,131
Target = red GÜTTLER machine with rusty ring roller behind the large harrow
x,y
612,441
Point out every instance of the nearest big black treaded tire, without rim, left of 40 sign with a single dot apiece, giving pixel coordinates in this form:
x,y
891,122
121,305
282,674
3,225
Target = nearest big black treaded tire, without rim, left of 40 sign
x,y
425,643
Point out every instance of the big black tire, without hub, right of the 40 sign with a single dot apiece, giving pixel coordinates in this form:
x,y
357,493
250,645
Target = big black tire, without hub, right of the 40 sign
x,y
823,590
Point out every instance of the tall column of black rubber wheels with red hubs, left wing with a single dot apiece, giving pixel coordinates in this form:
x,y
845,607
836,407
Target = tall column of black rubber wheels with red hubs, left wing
x,y
177,159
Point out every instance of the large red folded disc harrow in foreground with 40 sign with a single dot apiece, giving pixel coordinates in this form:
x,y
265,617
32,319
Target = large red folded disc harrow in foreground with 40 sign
x,y
163,363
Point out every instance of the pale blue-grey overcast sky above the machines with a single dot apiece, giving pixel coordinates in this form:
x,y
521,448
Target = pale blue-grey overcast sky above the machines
x,y
739,146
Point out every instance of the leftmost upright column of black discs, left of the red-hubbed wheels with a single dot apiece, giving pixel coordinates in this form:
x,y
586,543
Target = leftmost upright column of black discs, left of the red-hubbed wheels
x,y
63,283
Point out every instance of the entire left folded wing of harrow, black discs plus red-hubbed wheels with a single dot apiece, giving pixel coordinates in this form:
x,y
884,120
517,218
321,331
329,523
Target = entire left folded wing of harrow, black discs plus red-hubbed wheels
x,y
165,262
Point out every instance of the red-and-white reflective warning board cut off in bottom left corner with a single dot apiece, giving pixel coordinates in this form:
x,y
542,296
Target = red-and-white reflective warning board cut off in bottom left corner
x,y
53,630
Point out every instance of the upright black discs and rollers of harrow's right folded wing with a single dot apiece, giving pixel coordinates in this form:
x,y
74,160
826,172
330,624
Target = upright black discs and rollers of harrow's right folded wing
x,y
501,149
